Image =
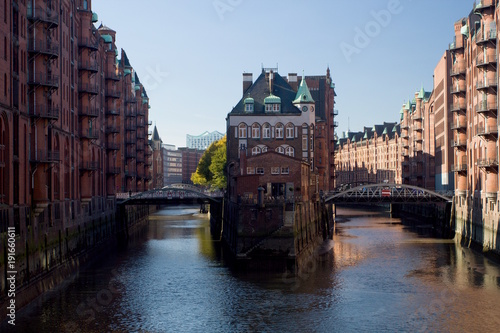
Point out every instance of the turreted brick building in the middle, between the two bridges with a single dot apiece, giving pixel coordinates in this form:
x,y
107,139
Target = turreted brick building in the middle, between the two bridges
x,y
280,116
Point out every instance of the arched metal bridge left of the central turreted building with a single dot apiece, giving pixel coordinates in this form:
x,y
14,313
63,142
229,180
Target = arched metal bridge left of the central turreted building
x,y
174,194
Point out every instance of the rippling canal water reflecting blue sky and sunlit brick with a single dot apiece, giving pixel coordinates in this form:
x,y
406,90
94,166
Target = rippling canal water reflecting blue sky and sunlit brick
x,y
377,274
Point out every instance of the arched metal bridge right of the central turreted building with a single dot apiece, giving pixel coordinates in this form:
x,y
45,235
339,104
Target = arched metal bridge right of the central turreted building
x,y
387,193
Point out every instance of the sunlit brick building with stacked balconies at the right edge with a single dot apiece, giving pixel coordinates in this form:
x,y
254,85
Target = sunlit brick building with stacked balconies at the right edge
x,y
474,79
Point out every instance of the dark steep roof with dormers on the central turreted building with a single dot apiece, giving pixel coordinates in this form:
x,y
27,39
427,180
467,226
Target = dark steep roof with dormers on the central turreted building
x,y
259,90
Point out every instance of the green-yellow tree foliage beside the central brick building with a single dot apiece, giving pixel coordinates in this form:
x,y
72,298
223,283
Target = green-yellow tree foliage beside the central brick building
x,y
210,170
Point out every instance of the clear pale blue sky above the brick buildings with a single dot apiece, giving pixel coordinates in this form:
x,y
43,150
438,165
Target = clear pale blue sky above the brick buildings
x,y
191,54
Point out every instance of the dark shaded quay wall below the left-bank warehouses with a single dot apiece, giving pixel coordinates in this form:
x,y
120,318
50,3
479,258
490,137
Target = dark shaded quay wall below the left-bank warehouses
x,y
50,250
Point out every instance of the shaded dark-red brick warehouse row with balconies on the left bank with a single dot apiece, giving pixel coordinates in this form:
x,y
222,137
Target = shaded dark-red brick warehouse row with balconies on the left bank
x,y
73,125
